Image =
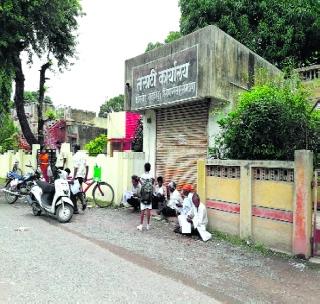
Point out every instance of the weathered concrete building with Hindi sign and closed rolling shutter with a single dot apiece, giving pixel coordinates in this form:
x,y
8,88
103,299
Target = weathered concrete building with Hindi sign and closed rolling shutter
x,y
182,89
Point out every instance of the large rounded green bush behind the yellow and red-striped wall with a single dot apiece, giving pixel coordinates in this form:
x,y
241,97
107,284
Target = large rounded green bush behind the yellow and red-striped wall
x,y
270,122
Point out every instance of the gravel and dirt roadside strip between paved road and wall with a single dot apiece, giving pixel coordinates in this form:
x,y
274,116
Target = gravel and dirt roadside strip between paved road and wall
x,y
234,273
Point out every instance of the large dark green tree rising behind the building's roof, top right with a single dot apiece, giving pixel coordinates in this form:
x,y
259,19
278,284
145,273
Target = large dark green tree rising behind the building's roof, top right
x,y
277,30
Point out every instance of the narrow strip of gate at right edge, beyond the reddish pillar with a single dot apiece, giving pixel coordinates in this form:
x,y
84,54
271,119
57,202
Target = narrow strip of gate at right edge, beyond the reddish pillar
x,y
316,213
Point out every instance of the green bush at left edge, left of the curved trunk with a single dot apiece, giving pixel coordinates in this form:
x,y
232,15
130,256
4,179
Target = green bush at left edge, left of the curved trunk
x,y
8,134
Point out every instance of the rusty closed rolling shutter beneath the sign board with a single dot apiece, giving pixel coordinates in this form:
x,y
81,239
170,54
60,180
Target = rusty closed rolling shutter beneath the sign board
x,y
181,141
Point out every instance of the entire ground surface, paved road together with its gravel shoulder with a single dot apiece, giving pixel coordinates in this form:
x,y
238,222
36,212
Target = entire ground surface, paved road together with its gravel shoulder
x,y
100,257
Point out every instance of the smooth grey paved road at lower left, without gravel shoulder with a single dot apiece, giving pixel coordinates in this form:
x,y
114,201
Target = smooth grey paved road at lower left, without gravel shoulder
x,y
45,262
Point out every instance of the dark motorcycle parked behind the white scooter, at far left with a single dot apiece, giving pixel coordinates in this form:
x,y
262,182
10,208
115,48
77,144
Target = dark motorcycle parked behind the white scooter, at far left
x,y
17,185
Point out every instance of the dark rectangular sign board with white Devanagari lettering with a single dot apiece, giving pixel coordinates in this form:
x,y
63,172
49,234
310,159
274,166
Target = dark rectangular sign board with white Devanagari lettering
x,y
166,80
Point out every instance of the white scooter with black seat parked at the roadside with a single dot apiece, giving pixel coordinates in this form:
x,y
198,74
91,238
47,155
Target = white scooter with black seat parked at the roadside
x,y
52,199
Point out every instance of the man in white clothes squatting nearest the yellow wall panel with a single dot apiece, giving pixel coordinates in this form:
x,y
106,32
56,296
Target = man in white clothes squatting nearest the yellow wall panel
x,y
196,221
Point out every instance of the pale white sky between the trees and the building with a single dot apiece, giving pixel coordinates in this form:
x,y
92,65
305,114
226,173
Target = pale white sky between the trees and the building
x,y
110,33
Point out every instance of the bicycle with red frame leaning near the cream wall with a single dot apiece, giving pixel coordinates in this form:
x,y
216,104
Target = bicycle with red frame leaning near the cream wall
x,y
102,193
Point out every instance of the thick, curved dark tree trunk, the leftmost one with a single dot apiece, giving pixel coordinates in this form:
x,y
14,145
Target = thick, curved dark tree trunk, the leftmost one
x,y
19,102
